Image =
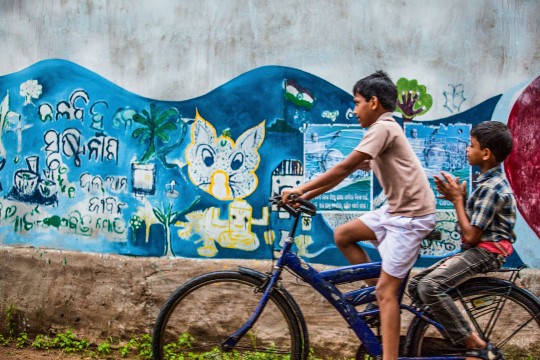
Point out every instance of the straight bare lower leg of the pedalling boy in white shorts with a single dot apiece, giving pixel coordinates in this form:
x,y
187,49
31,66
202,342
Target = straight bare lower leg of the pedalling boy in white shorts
x,y
387,298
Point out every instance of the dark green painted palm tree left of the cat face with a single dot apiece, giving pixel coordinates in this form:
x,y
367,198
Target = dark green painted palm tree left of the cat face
x,y
155,124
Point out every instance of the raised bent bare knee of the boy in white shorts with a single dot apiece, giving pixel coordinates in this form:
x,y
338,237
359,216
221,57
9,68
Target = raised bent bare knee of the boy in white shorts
x,y
346,237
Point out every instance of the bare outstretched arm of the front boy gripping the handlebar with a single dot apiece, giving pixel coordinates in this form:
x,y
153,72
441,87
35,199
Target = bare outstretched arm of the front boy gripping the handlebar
x,y
330,178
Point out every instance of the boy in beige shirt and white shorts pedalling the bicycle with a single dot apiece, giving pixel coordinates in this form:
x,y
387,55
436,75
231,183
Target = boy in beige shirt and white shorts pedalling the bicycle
x,y
396,229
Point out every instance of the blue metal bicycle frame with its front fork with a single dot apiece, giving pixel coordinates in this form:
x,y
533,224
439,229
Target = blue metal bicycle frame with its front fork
x,y
324,282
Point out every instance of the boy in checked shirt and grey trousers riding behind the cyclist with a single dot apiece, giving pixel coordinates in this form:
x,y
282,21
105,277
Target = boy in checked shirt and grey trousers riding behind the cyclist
x,y
486,221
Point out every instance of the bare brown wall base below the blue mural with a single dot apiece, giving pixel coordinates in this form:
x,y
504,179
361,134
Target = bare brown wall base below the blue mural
x,y
102,295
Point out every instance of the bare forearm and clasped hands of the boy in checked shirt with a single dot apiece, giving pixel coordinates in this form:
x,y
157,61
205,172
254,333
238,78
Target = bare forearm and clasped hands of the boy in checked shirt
x,y
455,192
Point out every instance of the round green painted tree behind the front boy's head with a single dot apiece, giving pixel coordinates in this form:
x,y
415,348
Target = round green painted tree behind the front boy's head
x,y
413,99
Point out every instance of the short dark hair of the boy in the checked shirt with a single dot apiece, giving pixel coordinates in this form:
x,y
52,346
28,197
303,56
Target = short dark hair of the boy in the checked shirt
x,y
495,136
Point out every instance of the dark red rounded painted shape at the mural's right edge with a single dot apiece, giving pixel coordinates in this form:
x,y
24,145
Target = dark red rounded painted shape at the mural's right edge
x,y
522,167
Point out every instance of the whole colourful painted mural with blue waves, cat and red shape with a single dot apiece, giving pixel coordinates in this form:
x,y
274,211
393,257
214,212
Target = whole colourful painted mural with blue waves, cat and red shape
x,y
86,165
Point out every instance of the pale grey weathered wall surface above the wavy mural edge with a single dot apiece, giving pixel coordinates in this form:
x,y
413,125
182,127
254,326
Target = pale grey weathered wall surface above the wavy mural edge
x,y
175,50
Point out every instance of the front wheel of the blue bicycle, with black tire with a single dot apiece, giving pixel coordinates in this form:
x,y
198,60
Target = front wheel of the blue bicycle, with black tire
x,y
211,307
